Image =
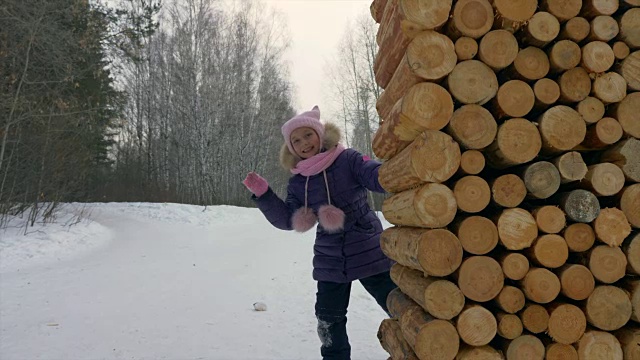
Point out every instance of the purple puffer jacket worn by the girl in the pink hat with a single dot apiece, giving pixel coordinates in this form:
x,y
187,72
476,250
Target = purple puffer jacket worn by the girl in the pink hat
x,y
353,253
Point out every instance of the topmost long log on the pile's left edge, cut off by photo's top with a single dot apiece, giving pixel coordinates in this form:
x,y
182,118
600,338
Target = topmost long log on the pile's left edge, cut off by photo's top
x,y
410,18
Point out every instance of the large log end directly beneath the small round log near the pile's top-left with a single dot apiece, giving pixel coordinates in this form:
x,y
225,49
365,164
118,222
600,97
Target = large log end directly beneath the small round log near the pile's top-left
x,y
472,82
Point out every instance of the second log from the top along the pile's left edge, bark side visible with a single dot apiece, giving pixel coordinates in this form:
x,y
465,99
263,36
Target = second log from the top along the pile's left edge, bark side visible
x,y
430,56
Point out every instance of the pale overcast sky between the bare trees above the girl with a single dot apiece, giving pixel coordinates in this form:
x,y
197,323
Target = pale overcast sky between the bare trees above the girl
x,y
316,29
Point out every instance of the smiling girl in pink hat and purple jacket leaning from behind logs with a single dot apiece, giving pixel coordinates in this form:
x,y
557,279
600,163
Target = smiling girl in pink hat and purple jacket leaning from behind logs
x,y
332,182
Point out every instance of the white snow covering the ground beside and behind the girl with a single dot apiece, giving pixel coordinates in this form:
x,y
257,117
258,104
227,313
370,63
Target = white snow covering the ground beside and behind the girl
x,y
165,281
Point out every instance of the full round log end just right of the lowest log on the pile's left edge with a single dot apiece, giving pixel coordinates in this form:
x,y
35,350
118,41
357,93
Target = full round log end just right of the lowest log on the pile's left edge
x,y
476,325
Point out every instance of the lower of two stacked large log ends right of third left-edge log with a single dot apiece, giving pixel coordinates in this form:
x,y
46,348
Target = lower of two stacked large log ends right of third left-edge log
x,y
473,127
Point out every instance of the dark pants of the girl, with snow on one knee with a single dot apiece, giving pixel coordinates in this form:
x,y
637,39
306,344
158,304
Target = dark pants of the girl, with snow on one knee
x,y
332,300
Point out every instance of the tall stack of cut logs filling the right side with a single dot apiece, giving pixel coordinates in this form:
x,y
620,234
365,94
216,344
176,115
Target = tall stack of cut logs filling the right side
x,y
510,139
